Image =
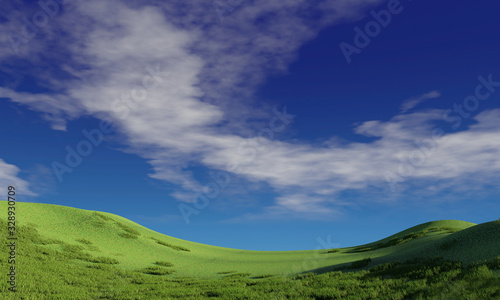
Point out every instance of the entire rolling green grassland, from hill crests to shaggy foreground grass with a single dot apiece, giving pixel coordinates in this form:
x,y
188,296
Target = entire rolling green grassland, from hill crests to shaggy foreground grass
x,y
69,253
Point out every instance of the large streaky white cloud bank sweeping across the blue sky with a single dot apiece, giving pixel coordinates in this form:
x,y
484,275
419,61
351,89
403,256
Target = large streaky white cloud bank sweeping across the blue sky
x,y
201,112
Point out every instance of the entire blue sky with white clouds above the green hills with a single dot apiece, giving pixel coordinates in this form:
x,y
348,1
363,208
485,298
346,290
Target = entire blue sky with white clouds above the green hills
x,y
243,124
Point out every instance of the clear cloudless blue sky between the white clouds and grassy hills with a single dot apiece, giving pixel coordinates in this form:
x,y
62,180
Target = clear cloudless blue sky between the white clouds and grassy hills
x,y
431,45
